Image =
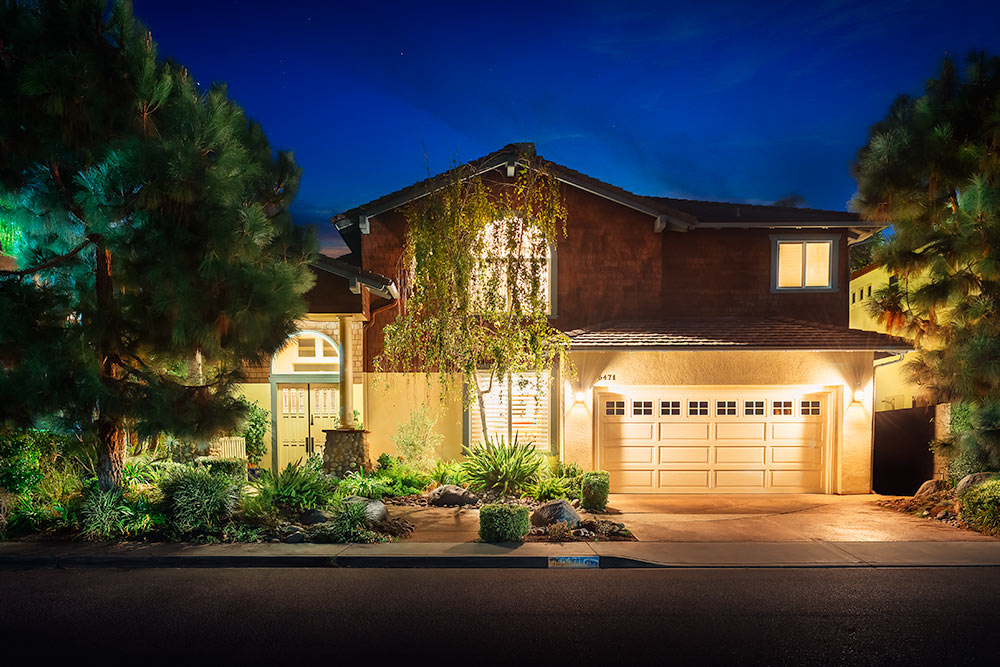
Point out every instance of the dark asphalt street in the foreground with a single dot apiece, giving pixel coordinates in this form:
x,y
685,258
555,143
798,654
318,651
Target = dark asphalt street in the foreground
x,y
864,616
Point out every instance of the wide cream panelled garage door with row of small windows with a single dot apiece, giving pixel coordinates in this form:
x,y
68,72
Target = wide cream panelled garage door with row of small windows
x,y
701,440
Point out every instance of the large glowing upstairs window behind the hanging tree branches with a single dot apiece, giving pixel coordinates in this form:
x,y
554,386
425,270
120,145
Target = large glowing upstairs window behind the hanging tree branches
x,y
515,253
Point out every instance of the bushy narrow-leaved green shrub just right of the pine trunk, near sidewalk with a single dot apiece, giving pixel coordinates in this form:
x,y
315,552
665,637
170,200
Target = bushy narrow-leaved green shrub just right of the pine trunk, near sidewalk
x,y
199,502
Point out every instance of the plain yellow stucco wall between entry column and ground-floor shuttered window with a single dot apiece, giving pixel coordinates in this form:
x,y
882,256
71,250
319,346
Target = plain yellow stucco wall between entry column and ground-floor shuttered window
x,y
391,396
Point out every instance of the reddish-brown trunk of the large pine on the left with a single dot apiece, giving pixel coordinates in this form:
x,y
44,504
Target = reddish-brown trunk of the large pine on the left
x,y
110,433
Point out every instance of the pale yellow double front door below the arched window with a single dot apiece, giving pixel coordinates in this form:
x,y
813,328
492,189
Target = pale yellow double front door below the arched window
x,y
304,411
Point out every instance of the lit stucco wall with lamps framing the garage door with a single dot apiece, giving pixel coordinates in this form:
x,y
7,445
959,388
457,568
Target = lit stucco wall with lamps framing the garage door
x,y
840,372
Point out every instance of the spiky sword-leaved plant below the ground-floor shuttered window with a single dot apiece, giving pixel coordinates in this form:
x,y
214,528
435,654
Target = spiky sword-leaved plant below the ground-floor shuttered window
x,y
499,468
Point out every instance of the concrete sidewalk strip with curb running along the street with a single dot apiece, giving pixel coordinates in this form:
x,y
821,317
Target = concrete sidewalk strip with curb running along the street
x,y
817,554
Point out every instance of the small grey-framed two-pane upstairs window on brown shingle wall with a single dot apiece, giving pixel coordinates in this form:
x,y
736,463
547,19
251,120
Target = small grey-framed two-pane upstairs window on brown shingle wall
x,y
804,263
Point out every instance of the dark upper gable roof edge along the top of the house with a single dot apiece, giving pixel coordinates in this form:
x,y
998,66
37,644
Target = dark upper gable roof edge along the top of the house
x,y
677,214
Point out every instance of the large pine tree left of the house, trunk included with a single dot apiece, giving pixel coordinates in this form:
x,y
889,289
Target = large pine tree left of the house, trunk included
x,y
157,250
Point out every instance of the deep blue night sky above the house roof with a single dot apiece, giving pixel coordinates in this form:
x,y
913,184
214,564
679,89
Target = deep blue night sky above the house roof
x,y
744,102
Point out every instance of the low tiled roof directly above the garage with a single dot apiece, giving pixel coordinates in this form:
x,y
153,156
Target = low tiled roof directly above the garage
x,y
732,333
